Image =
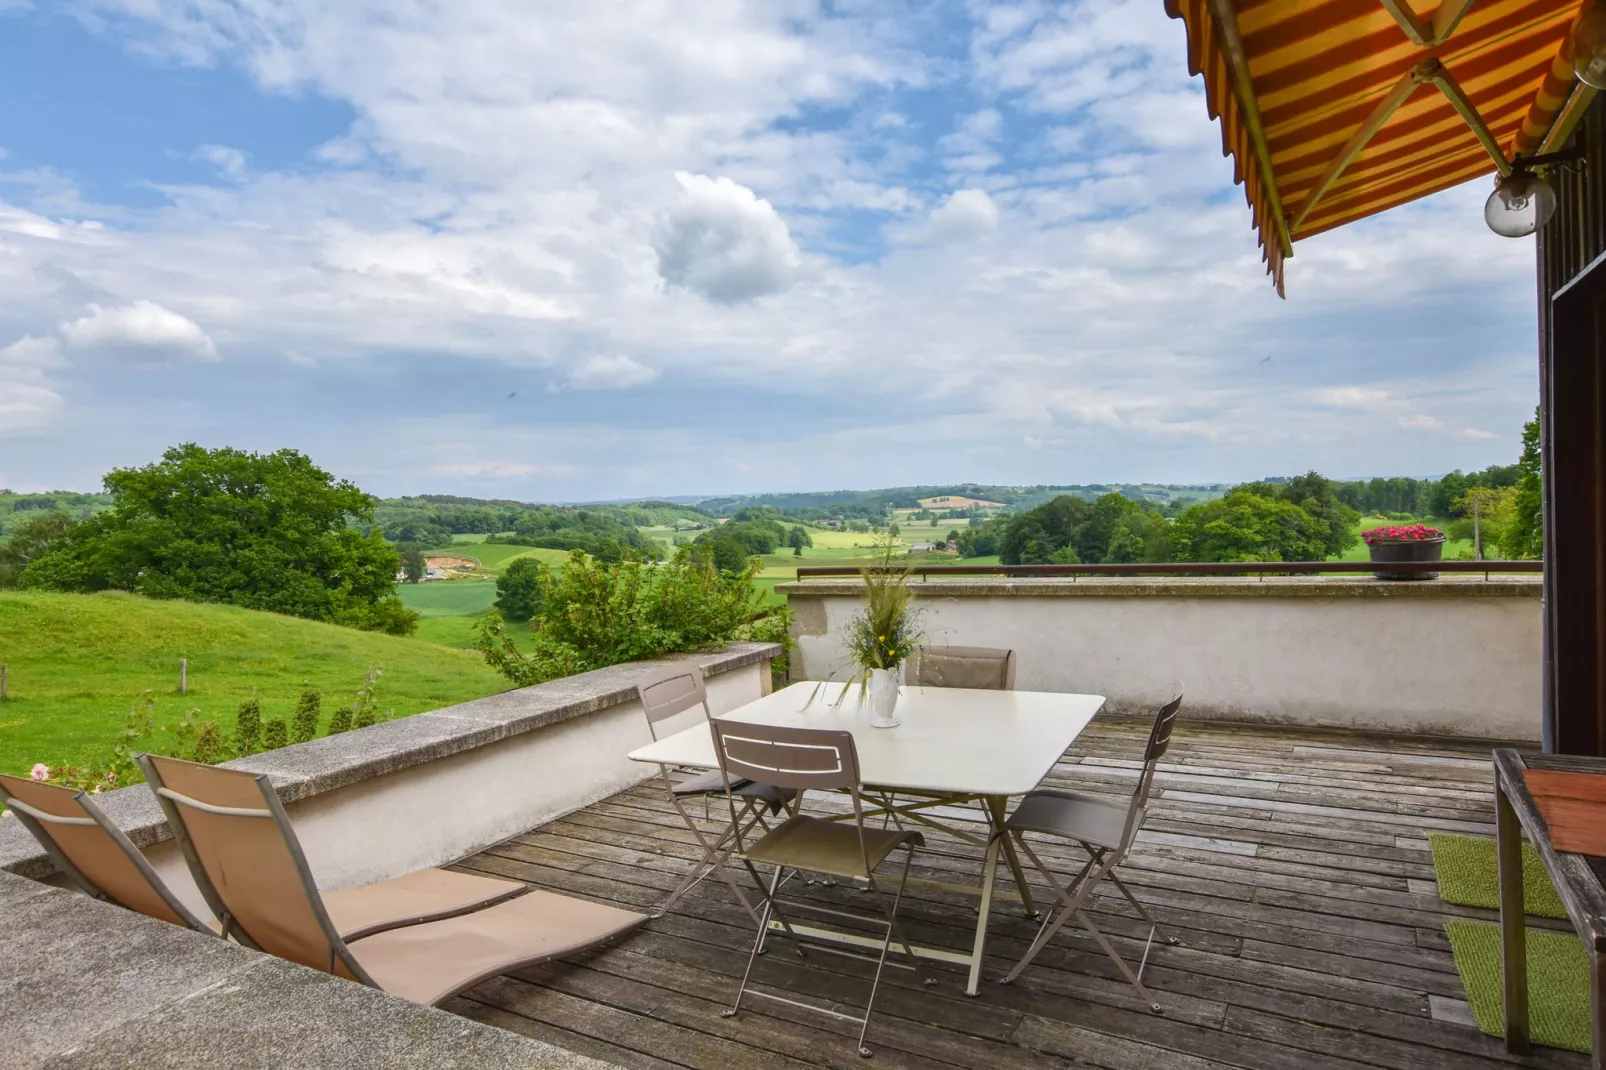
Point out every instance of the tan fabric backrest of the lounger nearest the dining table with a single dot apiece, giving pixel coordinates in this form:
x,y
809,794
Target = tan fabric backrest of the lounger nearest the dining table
x,y
248,862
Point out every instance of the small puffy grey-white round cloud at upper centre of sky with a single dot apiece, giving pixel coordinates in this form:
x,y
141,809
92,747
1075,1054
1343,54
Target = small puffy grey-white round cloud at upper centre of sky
x,y
725,243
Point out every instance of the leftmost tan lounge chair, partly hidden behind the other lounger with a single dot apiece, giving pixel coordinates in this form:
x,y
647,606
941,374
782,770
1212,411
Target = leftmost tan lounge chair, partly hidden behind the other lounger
x,y
96,854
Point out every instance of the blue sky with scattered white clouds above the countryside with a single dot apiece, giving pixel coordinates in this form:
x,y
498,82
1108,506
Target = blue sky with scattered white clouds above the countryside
x,y
732,248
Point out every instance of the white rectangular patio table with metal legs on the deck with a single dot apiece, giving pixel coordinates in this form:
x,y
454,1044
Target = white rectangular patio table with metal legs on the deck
x,y
953,745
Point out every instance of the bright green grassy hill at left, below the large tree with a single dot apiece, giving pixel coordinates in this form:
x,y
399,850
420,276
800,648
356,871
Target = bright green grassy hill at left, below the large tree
x,y
81,661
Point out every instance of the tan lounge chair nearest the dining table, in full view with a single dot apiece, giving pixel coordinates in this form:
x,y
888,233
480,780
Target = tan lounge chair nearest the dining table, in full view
x,y
251,872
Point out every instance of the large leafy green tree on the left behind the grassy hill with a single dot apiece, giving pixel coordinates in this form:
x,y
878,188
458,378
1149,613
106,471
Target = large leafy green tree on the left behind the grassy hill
x,y
263,531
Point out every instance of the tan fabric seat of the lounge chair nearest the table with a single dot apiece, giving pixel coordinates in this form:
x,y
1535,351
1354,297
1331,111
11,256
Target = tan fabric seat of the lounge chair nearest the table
x,y
436,962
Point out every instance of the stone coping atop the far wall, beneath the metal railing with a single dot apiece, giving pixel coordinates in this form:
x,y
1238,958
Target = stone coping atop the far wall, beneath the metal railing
x,y
1186,587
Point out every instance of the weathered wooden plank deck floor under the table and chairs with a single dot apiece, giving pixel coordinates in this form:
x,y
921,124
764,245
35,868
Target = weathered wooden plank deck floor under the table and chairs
x,y
1292,864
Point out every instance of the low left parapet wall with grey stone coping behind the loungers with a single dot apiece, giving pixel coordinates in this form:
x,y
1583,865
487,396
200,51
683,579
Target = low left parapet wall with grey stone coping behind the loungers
x,y
430,790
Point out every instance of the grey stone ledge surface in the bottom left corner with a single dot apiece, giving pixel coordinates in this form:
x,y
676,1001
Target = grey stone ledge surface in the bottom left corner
x,y
88,984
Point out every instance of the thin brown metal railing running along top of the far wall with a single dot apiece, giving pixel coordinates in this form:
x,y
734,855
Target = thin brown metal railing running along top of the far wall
x,y
1184,568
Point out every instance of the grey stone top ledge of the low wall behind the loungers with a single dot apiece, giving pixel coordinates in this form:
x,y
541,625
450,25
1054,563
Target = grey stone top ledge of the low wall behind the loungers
x,y
333,762
